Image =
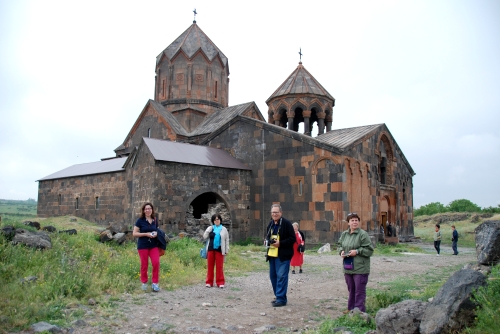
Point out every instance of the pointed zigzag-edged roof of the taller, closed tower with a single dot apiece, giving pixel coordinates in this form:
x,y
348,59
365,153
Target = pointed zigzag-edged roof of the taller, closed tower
x,y
190,41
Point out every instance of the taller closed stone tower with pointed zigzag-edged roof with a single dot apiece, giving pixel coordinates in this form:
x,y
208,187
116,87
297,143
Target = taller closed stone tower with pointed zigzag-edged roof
x,y
192,78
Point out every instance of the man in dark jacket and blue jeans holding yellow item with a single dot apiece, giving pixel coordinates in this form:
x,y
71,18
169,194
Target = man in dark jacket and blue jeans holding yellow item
x,y
279,241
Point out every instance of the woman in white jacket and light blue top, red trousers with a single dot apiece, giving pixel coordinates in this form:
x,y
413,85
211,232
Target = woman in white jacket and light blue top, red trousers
x,y
217,249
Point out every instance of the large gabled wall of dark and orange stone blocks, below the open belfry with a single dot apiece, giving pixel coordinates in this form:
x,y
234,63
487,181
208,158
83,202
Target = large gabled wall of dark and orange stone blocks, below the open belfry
x,y
315,186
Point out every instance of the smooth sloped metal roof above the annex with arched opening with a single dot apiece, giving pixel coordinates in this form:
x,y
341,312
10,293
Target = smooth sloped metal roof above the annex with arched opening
x,y
165,150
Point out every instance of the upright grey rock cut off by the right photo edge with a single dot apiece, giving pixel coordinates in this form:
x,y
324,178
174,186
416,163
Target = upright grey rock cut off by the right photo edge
x,y
488,242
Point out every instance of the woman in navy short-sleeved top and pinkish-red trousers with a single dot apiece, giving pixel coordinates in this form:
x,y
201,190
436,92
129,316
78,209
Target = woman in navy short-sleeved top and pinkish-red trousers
x,y
145,229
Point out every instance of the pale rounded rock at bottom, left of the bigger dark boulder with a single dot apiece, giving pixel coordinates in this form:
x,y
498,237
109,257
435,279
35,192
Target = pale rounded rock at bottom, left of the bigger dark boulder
x,y
401,318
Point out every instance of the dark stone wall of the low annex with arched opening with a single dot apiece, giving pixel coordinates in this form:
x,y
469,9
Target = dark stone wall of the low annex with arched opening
x,y
172,187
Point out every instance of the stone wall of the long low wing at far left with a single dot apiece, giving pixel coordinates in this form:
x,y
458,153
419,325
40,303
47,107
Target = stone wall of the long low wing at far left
x,y
110,189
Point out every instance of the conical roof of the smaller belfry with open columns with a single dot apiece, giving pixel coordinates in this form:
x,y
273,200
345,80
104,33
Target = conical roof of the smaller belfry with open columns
x,y
300,82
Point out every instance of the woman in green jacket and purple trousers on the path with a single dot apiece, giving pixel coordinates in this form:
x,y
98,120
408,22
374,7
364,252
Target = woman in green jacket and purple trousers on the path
x,y
355,249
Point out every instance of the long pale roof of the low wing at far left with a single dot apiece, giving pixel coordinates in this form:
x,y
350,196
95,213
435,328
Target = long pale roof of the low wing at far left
x,y
98,167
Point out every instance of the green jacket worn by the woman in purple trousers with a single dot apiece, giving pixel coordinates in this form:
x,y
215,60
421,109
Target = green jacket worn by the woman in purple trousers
x,y
359,240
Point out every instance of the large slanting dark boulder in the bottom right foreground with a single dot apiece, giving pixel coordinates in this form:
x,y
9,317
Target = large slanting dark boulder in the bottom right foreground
x,y
452,309
